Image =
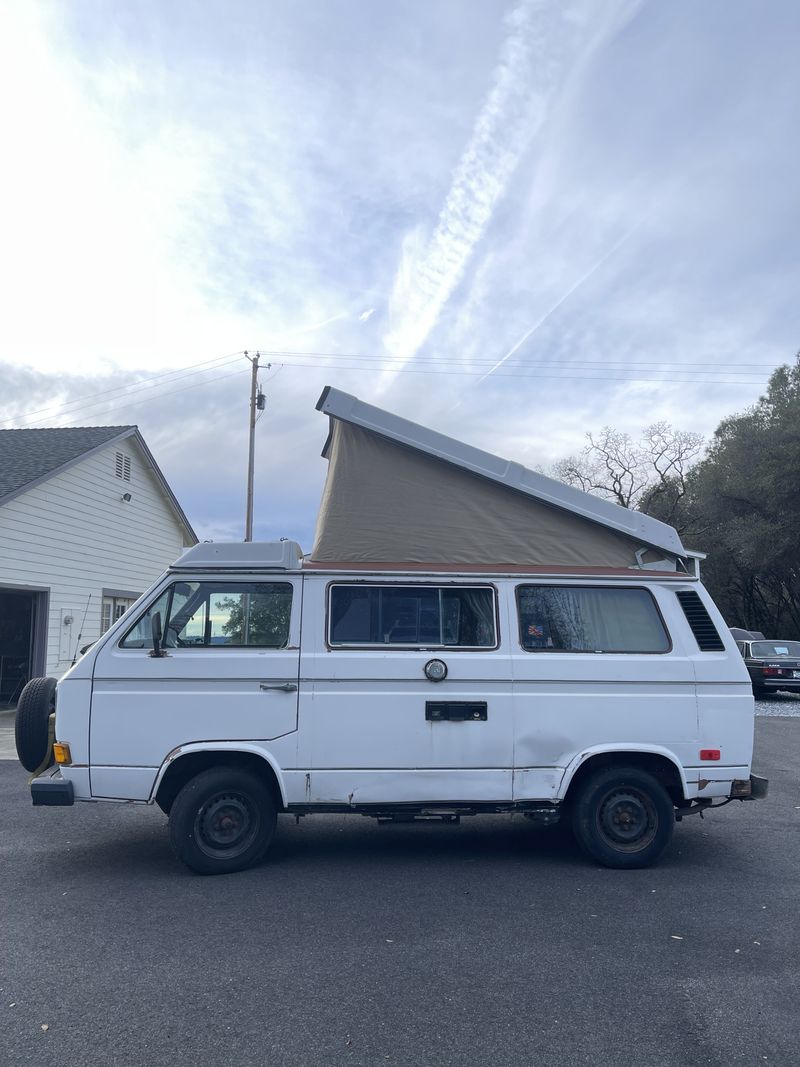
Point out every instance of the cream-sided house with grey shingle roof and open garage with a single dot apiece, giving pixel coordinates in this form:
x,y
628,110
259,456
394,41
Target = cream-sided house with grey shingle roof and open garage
x,y
87,522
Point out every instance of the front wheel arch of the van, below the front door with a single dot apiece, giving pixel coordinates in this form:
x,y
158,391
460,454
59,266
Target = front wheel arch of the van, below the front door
x,y
187,761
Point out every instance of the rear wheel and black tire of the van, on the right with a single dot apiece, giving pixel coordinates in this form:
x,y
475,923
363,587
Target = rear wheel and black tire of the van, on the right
x,y
623,818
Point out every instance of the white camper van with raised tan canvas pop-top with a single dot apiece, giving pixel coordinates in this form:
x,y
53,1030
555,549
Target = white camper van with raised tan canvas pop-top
x,y
251,680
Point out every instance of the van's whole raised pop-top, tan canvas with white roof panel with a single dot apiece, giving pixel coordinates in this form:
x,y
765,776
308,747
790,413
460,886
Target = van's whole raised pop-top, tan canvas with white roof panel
x,y
399,493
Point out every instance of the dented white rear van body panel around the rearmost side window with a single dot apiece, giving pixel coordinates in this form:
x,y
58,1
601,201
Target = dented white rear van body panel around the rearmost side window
x,y
570,703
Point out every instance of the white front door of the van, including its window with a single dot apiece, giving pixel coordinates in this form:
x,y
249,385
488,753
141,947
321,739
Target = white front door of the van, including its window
x,y
229,673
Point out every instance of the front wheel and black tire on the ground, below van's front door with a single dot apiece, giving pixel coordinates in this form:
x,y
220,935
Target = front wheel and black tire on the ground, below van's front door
x,y
222,821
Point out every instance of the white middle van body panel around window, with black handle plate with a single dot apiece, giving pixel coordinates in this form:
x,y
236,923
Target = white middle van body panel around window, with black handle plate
x,y
364,736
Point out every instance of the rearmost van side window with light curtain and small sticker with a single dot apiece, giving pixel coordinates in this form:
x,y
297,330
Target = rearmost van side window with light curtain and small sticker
x,y
589,619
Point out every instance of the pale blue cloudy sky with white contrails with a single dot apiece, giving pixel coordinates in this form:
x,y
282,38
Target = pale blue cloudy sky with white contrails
x,y
513,222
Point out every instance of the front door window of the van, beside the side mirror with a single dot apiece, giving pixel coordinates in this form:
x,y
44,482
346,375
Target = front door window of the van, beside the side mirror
x,y
218,615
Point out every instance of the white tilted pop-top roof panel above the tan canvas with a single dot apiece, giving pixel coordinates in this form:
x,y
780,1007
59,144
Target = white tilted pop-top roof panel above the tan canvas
x,y
634,524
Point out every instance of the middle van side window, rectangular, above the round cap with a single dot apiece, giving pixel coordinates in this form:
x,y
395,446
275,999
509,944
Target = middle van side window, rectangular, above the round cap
x,y
428,616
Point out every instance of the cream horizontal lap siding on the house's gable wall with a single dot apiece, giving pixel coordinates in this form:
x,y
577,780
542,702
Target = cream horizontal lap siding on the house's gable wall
x,y
75,536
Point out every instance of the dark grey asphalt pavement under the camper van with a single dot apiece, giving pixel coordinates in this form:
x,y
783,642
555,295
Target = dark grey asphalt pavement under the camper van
x,y
486,944
